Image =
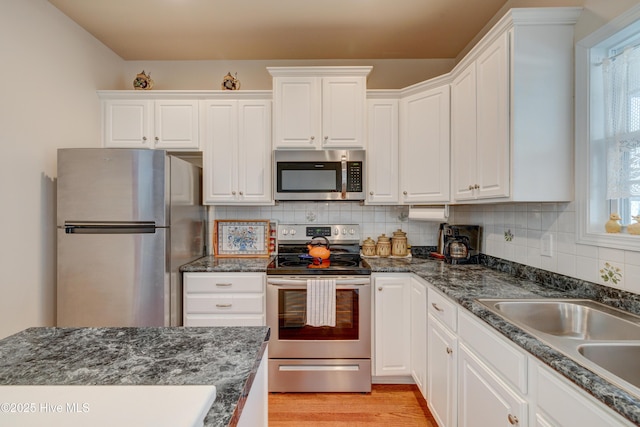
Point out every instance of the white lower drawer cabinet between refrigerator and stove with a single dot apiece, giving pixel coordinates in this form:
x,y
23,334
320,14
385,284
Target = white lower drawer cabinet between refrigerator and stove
x,y
224,299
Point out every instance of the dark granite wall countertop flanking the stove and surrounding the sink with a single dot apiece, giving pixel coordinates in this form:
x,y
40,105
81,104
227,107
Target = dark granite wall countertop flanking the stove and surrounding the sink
x,y
496,279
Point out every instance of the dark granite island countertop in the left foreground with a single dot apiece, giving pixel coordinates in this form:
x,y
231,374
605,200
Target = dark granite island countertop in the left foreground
x,y
225,357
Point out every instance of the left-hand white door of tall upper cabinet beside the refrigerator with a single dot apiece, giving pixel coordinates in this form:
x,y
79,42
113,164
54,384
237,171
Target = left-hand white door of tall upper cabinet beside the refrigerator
x,y
220,151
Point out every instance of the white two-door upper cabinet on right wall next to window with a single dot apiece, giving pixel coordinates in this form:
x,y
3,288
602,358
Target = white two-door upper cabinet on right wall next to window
x,y
512,110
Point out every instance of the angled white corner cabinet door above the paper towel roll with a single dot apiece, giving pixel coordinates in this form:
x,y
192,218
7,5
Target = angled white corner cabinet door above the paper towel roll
x,y
424,147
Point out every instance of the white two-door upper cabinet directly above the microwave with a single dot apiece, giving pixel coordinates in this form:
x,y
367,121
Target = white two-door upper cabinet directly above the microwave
x,y
319,107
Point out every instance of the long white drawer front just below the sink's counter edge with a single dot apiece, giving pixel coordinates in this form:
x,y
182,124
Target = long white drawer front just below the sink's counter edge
x,y
503,357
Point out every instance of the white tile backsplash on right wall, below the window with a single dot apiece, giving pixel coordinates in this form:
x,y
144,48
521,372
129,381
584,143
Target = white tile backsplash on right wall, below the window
x,y
543,235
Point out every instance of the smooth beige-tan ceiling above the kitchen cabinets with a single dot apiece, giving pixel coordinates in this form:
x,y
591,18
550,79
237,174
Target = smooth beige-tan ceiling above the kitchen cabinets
x,y
282,29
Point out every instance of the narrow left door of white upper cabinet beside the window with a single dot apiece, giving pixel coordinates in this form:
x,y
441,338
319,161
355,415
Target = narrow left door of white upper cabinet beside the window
x,y
463,134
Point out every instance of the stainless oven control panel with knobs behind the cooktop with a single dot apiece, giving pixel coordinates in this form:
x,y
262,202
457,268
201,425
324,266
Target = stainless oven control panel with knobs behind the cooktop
x,y
336,233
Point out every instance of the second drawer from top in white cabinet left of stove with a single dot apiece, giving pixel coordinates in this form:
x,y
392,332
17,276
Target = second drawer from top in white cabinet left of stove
x,y
217,304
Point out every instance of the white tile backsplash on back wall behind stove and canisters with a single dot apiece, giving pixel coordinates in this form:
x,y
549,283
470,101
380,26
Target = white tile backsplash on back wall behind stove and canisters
x,y
373,220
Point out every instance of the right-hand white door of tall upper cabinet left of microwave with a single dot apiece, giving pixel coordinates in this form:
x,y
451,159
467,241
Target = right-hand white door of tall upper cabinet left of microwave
x,y
254,168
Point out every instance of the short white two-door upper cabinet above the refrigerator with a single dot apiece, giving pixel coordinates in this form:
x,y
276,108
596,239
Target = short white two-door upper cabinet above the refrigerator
x,y
140,122
